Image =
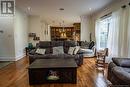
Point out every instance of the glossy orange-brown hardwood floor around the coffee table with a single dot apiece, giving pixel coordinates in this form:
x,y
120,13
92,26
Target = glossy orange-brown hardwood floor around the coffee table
x,y
16,75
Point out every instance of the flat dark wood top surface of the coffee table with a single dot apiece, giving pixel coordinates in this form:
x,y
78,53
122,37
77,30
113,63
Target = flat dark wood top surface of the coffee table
x,y
53,63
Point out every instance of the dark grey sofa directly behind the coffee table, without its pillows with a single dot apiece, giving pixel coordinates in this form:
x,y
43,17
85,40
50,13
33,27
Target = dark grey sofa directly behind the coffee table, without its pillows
x,y
48,45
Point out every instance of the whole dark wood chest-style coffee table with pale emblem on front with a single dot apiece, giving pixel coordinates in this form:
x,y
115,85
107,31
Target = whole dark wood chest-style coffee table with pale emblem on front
x,y
52,71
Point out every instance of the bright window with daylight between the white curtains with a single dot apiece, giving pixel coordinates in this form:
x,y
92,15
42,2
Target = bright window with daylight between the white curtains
x,y
103,32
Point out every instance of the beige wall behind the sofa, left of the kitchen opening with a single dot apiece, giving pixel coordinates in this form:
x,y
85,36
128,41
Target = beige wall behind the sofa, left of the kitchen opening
x,y
39,26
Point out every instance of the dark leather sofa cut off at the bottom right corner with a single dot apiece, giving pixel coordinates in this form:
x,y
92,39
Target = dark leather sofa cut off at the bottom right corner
x,y
119,71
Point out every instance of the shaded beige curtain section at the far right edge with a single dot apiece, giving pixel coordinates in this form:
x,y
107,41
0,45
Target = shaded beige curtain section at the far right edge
x,y
123,35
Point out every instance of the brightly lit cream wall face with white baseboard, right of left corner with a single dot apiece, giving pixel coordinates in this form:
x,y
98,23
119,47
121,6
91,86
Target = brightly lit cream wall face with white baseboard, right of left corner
x,y
20,33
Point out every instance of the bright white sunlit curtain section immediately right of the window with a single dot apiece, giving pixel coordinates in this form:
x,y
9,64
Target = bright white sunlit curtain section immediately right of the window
x,y
113,34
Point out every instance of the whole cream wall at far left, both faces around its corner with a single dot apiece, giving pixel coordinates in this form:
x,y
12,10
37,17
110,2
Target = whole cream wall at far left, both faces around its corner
x,y
14,38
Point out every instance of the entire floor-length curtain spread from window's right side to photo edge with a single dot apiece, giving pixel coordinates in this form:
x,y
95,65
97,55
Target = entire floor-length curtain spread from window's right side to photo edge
x,y
119,33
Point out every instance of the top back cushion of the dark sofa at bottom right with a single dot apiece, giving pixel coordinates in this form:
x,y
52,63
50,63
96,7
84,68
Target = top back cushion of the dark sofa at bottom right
x,y
124,62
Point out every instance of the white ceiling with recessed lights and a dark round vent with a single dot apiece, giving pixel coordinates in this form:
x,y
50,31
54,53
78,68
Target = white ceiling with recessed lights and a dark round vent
x,y
49,9
